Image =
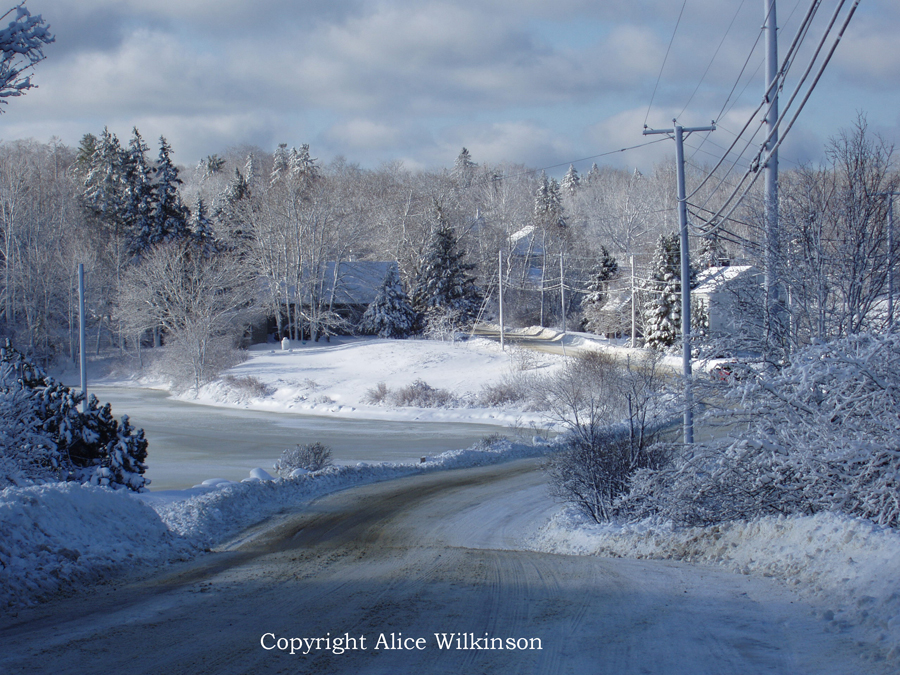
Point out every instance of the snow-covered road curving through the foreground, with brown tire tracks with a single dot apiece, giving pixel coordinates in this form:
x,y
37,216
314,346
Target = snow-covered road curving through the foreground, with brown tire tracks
x,y
436,553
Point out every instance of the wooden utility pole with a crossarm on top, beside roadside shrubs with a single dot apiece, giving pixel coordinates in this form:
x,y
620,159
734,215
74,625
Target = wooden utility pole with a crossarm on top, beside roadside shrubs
x,y
678,133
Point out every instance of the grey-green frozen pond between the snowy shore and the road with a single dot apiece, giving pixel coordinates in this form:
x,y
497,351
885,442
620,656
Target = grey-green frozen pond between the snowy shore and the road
x,y
190,443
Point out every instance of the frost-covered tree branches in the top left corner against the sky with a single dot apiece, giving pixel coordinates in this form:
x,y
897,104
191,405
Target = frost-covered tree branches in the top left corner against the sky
x,y
22,47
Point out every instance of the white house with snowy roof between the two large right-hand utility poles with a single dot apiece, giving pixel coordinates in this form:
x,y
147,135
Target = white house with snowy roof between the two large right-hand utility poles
x,y
724,293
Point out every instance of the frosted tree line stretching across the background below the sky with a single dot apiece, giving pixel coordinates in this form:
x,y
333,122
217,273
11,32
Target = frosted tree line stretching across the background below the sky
x,y
192,256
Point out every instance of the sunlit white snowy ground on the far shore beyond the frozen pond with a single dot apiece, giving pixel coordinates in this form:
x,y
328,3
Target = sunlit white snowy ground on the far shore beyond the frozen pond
x,y
334,378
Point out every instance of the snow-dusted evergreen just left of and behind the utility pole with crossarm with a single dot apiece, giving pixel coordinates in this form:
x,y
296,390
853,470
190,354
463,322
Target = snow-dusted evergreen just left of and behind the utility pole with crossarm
x,y
662,311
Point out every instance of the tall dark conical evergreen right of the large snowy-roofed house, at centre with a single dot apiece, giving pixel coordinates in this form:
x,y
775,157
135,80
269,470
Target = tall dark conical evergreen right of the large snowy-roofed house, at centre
x,y
444,286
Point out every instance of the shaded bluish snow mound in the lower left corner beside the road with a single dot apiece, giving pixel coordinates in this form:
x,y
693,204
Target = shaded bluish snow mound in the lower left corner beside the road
x,y
65,535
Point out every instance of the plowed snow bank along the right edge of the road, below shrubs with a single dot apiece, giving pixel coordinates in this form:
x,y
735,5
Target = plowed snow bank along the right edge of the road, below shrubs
x,y
849,568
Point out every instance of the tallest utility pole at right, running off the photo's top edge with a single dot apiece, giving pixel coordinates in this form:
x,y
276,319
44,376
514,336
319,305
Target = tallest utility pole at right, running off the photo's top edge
x,y
771,167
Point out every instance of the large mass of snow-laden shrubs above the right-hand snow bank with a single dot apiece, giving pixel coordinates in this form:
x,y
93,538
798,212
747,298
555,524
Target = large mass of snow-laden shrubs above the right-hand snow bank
x,y
821,435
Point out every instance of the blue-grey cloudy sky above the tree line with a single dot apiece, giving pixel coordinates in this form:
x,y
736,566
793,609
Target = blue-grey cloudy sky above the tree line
x,y
532,81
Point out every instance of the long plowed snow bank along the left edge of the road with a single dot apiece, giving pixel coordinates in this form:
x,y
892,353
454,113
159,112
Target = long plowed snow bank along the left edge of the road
x,y
64,536
